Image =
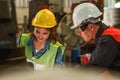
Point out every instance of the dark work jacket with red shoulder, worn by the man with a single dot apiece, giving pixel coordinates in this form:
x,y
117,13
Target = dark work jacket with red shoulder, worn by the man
x,y
107,51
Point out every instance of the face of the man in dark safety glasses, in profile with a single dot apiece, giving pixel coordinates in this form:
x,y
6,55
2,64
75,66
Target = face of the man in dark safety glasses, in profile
x,y
87,34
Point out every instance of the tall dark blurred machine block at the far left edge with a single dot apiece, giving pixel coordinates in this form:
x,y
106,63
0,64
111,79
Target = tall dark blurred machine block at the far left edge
x,y
8,24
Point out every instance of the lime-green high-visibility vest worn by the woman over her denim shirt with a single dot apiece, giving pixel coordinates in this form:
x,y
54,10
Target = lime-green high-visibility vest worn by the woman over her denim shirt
x,y
48,58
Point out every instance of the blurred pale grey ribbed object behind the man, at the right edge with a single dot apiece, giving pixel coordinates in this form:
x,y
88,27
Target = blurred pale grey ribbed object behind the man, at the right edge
x,y
112,16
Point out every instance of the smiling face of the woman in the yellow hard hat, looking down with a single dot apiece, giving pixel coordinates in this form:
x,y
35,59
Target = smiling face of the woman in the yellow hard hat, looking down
x,y
41,34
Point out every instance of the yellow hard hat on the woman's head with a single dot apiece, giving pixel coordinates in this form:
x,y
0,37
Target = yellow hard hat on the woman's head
x,y
44,18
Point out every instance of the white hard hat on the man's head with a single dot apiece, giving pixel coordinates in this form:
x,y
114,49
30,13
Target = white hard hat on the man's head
x,y
84,11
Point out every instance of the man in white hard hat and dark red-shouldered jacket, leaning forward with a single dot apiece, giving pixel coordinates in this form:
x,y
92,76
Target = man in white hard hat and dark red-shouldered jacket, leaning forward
x,y
86,19
